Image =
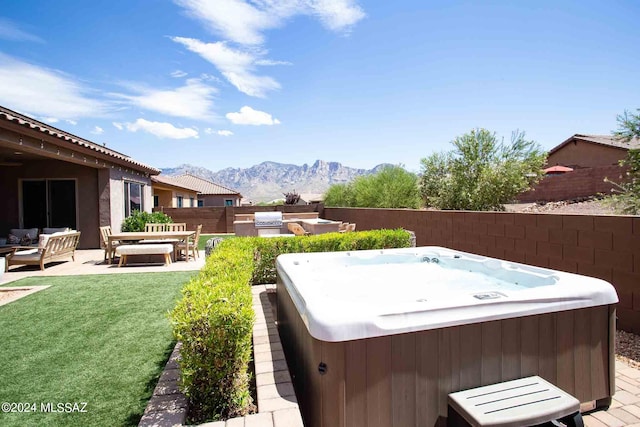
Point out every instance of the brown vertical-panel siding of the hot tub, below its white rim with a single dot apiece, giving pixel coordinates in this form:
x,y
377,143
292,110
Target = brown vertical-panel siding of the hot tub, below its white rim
x,y
404,379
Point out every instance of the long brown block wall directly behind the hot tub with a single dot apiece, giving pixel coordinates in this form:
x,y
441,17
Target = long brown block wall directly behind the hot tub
x,y
606,247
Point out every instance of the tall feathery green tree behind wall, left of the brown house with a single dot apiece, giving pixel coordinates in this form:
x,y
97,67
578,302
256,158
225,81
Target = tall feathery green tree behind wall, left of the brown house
x,y
481,173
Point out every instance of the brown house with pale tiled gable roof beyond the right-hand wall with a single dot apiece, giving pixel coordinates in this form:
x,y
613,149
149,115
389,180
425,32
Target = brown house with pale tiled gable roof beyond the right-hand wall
x,y
588,151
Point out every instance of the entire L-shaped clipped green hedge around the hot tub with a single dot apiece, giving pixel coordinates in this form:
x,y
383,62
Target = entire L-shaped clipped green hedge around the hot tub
x,y
214,319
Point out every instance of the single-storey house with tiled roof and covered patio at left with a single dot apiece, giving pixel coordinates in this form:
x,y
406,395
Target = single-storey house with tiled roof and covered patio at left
x,y
51,178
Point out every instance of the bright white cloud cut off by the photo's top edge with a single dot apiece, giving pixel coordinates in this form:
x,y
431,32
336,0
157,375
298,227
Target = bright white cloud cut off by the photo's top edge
x,y
245,22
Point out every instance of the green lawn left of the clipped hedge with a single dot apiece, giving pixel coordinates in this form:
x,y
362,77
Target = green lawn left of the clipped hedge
x,y
100,339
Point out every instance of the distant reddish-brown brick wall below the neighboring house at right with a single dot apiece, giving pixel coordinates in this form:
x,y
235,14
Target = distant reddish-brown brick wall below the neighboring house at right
x,y
579,183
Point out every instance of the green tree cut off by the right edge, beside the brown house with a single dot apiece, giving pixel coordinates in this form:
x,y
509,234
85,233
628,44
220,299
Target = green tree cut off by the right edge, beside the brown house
x,y
628,201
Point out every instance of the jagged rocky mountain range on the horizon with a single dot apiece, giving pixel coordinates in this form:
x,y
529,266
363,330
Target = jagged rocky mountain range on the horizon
x,y
270,180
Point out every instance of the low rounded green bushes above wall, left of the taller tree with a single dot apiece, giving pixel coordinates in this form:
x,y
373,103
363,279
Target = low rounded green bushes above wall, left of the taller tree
x,y
392,187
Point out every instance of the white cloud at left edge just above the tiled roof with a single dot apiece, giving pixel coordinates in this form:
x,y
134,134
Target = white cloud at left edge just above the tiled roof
x,y
44,92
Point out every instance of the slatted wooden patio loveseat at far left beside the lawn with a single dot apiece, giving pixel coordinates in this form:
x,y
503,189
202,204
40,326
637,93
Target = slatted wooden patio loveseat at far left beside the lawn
x,y
57,246
